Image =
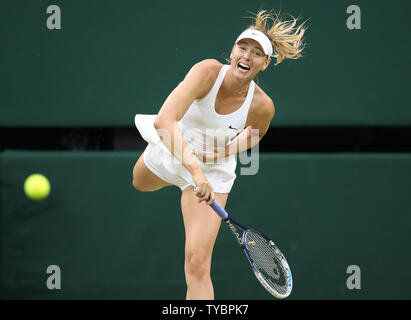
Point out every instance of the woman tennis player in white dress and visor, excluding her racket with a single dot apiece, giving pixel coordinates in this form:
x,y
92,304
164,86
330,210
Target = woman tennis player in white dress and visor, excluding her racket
x,y
214,102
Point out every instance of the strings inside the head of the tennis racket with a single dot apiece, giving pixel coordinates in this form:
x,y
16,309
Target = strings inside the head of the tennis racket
x,y
267,260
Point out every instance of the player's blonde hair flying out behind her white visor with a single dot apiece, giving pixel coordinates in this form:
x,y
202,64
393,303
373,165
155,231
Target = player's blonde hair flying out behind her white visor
x,y
285,36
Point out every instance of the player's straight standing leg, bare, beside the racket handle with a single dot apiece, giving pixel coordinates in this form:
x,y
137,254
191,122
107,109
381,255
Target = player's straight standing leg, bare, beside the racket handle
x,y
201,228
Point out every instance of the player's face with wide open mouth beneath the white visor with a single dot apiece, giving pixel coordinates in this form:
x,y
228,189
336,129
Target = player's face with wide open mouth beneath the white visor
x,y
248,59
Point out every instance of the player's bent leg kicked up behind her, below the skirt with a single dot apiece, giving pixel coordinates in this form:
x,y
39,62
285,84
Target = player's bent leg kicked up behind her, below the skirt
x,y
144,179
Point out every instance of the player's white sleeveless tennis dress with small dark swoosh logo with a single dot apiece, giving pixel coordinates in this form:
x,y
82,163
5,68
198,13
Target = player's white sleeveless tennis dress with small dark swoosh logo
x,y
203,128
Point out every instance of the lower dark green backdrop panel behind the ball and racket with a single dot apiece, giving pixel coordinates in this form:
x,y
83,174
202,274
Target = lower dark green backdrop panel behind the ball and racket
x,y
325,211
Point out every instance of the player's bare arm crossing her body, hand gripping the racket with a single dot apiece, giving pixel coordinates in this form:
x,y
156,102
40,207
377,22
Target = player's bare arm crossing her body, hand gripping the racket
x,y
197,83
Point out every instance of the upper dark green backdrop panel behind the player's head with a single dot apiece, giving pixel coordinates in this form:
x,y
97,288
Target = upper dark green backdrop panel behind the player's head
x,y
112,59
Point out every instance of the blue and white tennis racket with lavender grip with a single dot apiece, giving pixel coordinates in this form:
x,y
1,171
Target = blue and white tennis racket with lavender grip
x,y
266,260
